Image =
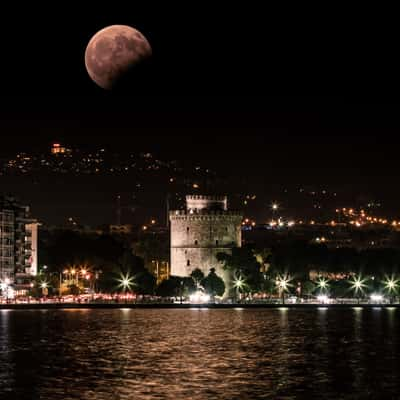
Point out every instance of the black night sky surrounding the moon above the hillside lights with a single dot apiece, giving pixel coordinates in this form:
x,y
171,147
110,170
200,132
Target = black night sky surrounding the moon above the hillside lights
x,y
260,93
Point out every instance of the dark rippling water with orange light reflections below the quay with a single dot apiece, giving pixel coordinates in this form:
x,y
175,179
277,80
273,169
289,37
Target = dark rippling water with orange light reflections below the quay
x,y
200,354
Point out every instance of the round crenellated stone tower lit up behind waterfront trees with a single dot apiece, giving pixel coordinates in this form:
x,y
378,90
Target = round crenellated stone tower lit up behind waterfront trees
x,y
205,228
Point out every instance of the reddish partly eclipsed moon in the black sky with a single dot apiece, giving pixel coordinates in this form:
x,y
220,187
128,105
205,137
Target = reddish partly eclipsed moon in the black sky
x,y
113,52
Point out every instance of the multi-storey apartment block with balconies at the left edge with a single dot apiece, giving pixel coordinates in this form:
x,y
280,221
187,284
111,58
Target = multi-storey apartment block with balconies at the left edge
x,y
18,244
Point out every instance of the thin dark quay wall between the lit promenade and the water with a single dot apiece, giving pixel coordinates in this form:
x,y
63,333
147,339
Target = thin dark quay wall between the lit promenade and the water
x,y
60,306
